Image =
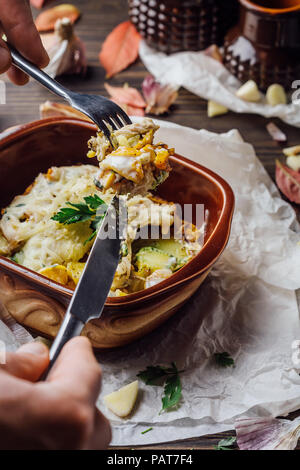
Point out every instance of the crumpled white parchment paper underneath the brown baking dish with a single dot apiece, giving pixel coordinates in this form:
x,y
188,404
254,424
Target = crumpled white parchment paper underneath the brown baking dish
x,y
250,310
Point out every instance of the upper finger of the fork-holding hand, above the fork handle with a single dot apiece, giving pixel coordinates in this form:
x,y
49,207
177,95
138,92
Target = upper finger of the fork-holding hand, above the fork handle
x,y
18,25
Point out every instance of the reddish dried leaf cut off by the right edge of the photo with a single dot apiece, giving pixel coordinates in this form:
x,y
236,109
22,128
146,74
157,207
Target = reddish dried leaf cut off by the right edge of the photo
x,y
288,181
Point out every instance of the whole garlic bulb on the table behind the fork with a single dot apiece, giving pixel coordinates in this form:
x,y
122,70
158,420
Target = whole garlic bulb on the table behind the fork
x,y
67,52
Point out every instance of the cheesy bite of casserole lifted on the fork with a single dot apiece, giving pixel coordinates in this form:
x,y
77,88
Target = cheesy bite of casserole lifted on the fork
x,y
135,165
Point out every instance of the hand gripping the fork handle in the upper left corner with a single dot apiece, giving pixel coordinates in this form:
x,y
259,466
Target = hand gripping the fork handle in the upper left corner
x,y
17,24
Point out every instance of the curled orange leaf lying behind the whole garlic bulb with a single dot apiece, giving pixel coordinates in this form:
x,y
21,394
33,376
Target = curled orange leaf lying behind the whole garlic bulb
x,y
47,19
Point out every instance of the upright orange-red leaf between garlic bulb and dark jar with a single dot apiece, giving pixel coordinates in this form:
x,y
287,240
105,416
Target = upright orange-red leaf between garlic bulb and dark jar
x,y
120,49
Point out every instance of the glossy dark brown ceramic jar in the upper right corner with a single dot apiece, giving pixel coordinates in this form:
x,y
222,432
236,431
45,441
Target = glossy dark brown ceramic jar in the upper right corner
x,y
265,46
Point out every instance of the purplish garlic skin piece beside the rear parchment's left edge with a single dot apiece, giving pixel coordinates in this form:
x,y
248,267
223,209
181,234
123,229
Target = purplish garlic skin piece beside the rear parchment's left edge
x,y
157,96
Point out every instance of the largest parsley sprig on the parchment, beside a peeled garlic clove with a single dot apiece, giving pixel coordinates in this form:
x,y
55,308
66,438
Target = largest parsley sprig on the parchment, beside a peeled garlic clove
x,y
170,378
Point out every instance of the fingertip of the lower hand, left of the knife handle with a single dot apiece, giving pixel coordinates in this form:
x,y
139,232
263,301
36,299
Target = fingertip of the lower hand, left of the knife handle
x,y
28,362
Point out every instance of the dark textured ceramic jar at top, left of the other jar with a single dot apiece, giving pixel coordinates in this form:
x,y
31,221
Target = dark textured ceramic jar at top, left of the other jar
x,y
183,25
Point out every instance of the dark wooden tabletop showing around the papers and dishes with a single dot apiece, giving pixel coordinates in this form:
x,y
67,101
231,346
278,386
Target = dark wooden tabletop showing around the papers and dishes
x,y
98,19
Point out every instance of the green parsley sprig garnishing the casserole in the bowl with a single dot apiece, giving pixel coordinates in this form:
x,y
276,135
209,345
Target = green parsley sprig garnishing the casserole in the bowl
x,y
89,210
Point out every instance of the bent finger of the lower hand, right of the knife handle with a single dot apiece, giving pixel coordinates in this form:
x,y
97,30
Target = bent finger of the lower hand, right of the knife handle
x,y
77,370
